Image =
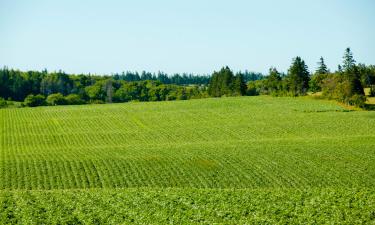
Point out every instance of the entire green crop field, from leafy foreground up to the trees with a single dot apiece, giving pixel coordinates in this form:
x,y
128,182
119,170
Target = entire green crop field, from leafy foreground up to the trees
x,y
229,160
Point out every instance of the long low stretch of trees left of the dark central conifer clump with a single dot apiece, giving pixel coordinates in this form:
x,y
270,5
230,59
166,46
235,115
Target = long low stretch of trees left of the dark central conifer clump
x,y
35,88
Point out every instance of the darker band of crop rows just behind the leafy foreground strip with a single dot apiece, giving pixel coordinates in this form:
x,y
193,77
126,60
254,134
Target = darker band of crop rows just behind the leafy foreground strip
x,y
204,165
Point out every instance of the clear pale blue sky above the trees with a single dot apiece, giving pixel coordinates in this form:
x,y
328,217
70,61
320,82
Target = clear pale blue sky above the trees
x,y
198,36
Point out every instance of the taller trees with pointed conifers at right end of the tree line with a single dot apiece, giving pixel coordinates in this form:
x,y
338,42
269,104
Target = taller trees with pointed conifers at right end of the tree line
x,y
345,85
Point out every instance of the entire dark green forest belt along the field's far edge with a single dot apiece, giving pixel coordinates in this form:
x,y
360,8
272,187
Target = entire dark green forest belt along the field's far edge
x,y
35,88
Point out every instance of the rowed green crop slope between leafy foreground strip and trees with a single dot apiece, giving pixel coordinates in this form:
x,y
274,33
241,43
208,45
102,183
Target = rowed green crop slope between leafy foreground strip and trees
x,y
214,143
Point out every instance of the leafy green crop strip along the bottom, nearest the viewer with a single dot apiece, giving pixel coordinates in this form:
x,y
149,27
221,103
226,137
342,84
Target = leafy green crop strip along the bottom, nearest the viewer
x,y
189,206
